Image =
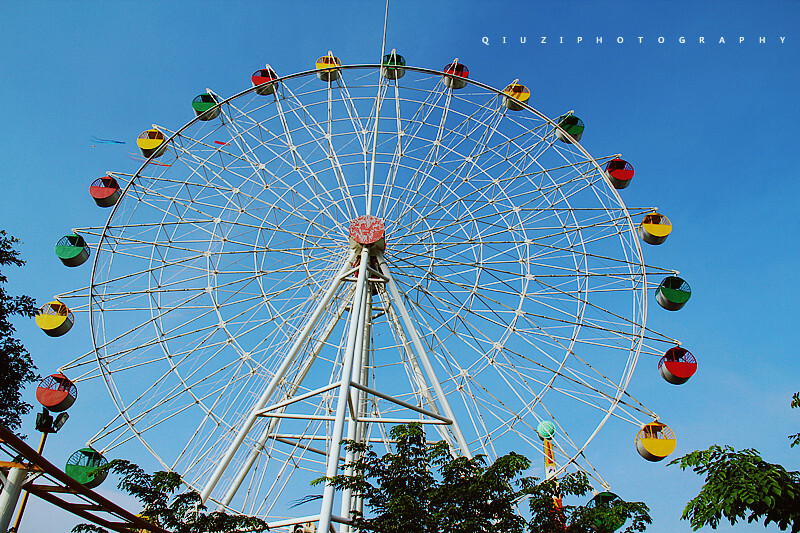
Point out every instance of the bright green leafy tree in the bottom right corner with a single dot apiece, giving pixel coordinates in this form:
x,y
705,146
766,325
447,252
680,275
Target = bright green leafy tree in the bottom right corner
x,y
740,485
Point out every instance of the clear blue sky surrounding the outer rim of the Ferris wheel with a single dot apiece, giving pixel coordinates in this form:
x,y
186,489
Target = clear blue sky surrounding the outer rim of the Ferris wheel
x,y
710,129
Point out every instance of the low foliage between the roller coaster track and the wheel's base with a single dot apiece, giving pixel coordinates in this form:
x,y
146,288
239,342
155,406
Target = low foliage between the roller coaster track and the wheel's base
x,y
182,513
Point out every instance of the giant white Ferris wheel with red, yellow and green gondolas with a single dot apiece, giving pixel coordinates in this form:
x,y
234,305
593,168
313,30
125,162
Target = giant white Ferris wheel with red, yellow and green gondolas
x,y
326,254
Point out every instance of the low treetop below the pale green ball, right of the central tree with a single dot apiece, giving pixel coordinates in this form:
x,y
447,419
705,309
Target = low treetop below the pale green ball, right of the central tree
x,y
603,518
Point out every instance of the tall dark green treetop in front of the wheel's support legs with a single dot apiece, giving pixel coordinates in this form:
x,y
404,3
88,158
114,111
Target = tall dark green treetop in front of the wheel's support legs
x,y
404,494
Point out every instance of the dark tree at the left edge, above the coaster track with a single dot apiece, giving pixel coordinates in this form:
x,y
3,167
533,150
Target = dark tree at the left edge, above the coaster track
x,y
16,365
